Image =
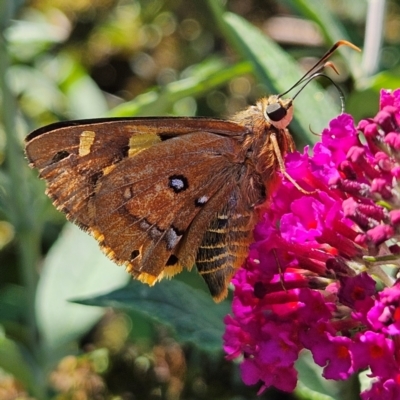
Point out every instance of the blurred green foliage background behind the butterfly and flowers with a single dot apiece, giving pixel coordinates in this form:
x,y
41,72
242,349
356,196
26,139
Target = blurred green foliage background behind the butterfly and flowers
x,y
72,325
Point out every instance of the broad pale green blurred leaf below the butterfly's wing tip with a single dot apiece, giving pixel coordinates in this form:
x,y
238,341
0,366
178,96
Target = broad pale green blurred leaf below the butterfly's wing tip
x,y
74,267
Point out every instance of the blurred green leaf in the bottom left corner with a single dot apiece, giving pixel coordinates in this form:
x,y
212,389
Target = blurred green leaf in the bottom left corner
x,y
14,360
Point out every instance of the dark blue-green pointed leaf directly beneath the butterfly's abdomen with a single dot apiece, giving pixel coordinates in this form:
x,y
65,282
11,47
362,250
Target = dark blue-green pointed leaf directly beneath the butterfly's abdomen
x,y
190,312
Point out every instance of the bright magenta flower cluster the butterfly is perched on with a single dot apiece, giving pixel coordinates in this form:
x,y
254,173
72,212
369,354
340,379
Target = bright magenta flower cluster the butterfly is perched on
x,y
321,273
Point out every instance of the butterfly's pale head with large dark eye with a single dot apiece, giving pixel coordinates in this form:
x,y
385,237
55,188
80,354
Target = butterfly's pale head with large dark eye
x,y
277,111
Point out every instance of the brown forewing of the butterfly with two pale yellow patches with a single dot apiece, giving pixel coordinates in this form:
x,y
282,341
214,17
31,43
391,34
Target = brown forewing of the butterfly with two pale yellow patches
x,y
73,156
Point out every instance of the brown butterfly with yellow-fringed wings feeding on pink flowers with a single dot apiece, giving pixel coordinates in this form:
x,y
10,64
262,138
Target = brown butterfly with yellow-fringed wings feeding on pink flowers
x,y
165,193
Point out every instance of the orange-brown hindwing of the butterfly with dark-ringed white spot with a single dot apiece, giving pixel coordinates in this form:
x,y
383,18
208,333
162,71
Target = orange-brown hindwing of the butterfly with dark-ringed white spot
x,y
150,209
